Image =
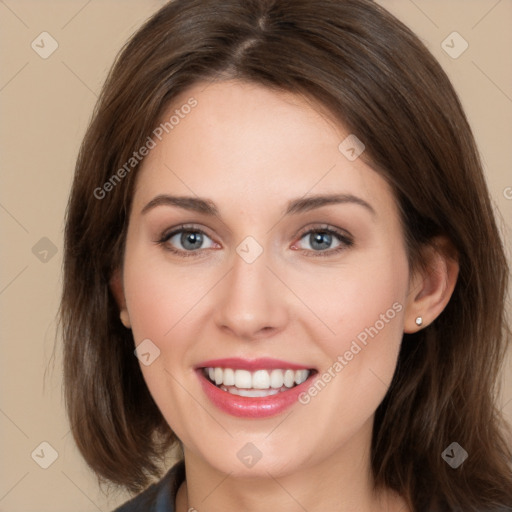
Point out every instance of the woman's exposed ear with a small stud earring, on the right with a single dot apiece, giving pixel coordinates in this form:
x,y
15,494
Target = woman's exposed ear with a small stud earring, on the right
x,y
431,287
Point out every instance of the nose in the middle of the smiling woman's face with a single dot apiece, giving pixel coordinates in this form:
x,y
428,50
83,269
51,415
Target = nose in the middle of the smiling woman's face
x,y
252,303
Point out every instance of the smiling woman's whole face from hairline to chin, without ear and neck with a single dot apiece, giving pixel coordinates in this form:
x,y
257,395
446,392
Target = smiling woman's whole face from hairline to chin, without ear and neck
x,y
291,266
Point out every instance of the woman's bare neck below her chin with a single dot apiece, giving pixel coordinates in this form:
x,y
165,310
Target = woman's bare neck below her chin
x,y
341,482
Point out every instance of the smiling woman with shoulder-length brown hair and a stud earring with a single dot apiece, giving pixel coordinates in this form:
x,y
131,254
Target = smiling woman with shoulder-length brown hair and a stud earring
x,y
281,257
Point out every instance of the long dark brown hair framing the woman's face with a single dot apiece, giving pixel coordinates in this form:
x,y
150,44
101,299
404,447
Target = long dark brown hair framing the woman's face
x,y
377,79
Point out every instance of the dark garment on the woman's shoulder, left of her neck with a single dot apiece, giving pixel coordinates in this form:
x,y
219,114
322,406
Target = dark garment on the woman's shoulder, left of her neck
x,y
160,496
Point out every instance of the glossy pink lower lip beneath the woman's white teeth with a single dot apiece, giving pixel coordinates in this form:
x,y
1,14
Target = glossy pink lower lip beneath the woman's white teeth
x,y
251,407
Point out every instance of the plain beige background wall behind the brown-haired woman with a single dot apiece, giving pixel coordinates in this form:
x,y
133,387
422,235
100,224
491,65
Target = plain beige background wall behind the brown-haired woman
x,y
45,105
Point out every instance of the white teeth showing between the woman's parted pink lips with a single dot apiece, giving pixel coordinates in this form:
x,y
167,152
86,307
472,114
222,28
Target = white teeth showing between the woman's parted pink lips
x,y
259,383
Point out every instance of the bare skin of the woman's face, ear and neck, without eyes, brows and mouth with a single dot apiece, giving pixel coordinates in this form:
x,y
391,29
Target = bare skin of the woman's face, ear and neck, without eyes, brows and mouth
x,y
250,150
